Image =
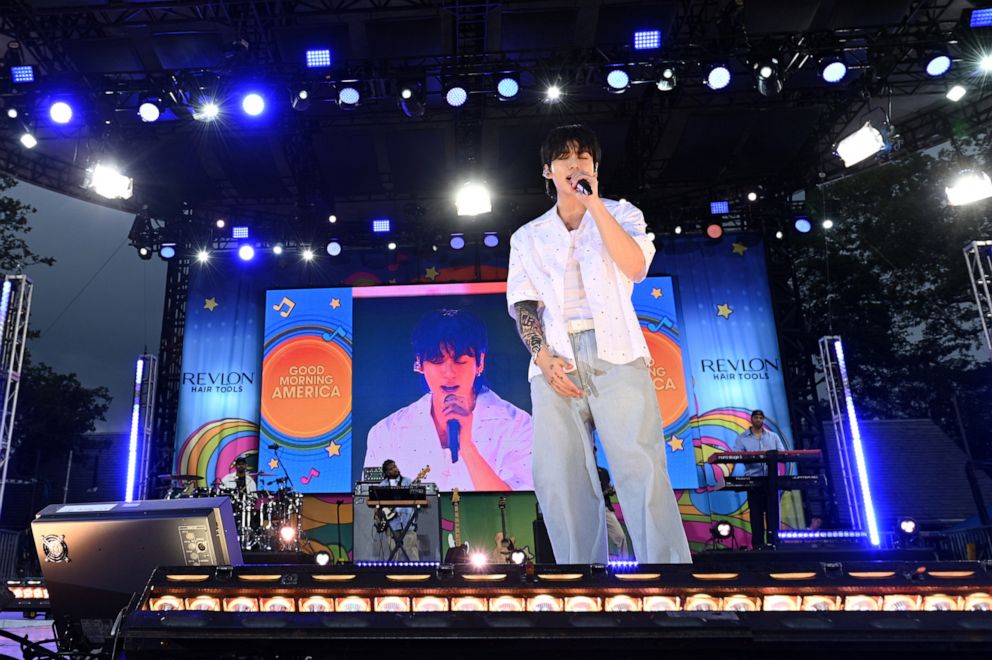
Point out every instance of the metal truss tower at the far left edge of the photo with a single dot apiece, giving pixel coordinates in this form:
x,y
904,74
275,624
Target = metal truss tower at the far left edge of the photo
x,y
15,311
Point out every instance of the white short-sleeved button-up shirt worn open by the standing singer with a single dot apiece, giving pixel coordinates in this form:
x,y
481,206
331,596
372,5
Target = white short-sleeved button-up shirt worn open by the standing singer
x,y
538,254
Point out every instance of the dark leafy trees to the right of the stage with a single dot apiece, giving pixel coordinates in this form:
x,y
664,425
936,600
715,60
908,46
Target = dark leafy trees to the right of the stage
x,y
890,278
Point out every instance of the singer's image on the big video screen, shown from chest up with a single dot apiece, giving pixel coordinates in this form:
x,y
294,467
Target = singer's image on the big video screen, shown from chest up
x,y
472,438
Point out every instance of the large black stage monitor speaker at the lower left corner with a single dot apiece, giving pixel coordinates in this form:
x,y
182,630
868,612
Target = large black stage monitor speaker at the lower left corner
x,y
96,556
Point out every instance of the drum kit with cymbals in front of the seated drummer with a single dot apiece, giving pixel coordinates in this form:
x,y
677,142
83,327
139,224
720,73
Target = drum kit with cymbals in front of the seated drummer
x,y
266,519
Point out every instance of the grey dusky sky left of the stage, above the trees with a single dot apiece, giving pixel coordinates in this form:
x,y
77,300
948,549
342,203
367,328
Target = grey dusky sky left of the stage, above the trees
x,y
100,305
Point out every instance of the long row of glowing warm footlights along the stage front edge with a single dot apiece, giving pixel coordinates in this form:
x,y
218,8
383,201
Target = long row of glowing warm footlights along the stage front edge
x,y
975,602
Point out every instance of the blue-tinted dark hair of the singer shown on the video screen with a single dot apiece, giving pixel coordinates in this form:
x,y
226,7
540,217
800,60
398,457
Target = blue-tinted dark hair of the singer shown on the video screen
x,y
456,331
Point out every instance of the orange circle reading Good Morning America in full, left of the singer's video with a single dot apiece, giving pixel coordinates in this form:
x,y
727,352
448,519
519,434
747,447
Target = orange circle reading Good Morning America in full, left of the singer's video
x,y
306,387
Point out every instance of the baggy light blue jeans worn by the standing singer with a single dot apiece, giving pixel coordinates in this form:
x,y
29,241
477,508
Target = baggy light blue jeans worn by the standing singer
x,y
620,403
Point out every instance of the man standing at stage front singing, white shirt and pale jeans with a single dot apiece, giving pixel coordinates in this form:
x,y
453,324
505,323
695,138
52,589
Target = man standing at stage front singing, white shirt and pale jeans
x,y
571,276
